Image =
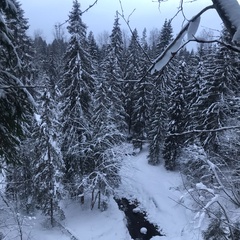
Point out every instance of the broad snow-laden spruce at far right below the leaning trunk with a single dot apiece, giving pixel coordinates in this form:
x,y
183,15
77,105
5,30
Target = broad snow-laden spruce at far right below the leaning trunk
x,y
217,90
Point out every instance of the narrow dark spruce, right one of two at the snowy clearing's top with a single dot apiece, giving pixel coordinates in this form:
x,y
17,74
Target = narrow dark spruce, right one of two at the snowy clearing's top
x,y
177,118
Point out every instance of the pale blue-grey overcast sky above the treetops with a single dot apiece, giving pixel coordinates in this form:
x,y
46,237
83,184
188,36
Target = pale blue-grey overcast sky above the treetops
x,y
44,14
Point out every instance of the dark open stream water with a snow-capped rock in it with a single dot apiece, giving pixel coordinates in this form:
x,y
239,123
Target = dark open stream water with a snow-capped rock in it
x,y
138,226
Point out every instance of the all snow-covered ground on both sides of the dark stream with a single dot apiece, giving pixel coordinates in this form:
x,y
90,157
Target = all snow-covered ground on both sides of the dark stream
x,y
156,189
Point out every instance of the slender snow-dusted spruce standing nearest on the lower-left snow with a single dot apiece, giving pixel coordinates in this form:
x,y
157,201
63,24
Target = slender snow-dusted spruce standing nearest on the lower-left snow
x,y
48,166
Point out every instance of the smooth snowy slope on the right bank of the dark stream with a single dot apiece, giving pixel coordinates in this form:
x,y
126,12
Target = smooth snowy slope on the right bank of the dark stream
x,y
158,191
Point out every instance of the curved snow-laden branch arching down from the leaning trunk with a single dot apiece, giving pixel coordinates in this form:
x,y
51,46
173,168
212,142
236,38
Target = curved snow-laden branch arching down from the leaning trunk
x,y
169,52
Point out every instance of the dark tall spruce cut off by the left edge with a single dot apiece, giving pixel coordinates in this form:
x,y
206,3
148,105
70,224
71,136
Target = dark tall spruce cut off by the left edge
x,y
15,101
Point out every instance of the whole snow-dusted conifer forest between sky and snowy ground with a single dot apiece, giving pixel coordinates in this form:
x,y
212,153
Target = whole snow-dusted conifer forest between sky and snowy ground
x,y
70,110
